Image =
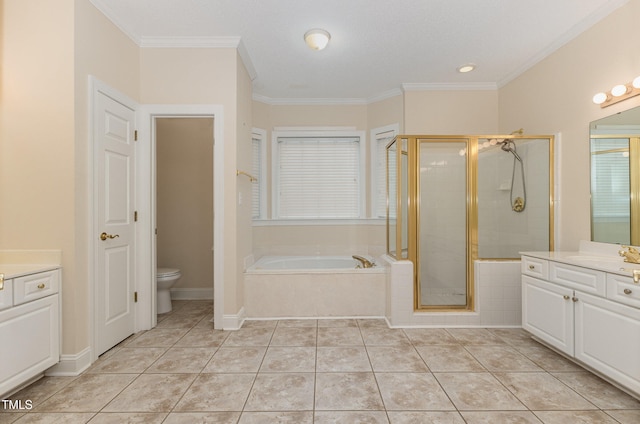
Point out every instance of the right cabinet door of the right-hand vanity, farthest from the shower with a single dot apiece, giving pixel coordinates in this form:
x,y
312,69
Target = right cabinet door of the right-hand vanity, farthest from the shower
x,y
608,338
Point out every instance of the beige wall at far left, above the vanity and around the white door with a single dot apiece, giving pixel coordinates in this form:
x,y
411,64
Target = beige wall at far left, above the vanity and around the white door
x,y
48,51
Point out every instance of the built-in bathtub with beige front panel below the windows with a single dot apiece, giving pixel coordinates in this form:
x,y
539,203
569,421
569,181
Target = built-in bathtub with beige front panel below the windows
x,y
313,286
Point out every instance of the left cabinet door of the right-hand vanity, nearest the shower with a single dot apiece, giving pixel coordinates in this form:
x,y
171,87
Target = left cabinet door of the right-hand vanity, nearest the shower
x,y
547,313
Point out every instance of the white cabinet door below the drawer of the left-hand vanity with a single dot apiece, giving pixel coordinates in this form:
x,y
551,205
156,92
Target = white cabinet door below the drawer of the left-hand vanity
x,y
29,341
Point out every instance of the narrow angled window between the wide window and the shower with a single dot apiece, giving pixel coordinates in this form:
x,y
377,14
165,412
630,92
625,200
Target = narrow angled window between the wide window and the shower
x,y
380,137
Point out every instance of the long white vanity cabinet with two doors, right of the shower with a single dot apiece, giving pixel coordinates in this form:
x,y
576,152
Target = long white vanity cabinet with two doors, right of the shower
x,y
589,314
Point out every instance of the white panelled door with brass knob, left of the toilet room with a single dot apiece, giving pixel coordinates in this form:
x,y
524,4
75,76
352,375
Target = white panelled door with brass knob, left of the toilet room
x,y
114,238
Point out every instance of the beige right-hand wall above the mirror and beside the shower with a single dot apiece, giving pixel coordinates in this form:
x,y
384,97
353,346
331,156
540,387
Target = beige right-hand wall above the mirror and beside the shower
x,y
555,97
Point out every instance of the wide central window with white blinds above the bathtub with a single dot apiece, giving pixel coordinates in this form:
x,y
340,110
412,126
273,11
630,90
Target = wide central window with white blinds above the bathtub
x,y
318,175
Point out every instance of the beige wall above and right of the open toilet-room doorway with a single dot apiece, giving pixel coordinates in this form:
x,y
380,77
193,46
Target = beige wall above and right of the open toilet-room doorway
x,y
203,76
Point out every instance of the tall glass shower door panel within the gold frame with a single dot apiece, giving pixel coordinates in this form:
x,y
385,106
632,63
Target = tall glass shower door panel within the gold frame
x,y
443,224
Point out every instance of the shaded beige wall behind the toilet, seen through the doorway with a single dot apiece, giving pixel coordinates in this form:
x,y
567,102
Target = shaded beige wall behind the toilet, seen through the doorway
x,y
184,202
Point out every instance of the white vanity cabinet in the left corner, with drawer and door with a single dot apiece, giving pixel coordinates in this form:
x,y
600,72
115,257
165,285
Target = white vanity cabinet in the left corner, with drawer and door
x,y
29,327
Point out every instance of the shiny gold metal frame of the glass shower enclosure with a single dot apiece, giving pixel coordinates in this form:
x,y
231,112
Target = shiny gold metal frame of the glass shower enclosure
x,y
412,206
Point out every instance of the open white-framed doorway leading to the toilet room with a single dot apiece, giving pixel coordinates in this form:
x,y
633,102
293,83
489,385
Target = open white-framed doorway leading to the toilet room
x,y
172,215
